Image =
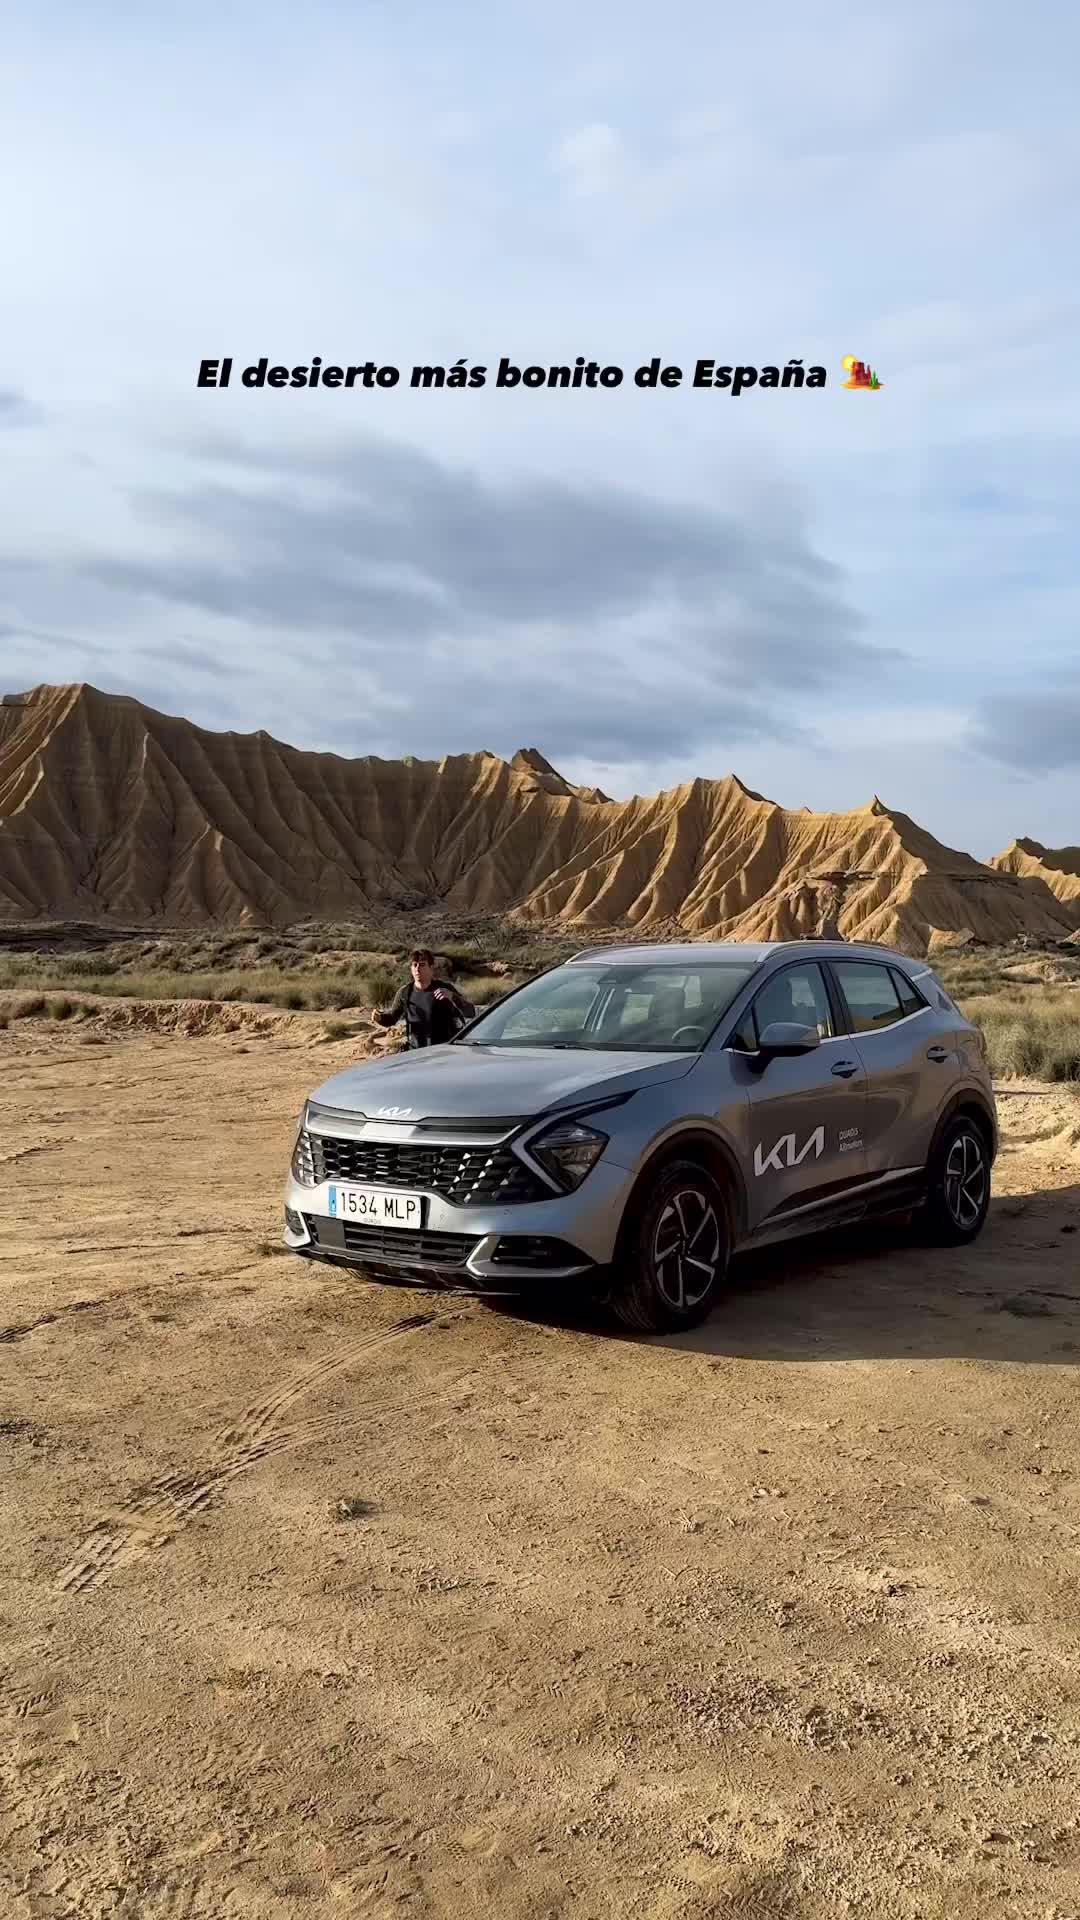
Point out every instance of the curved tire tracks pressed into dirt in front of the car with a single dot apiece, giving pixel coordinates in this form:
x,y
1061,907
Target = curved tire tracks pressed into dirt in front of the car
x,y
157,1514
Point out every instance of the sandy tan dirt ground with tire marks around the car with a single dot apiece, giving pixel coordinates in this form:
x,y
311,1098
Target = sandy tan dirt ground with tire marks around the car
x,y
328,1598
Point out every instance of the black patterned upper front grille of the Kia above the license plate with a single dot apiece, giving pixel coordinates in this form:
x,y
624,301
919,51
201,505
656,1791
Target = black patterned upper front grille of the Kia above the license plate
x,y
466,1176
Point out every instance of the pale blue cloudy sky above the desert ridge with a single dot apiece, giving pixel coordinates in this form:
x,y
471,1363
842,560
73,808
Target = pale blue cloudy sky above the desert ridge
x,y
831,594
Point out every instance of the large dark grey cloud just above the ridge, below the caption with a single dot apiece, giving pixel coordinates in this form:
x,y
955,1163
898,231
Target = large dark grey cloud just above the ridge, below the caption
x,y
597,619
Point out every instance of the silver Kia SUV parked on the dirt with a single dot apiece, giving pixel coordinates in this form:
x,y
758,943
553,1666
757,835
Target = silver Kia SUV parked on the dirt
x,y
639,1115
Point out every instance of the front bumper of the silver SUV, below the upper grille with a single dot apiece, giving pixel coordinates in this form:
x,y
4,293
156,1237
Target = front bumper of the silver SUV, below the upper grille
x,y
479,1249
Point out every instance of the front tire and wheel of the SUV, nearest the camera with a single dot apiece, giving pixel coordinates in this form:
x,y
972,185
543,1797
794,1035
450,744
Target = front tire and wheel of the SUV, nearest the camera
x,y
658,1291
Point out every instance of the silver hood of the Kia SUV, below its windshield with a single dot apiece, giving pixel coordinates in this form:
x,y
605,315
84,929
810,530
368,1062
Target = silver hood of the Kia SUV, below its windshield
x,y
491,1082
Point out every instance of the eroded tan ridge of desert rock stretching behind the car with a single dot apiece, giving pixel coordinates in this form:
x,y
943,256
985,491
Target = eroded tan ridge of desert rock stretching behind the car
x,y
110,811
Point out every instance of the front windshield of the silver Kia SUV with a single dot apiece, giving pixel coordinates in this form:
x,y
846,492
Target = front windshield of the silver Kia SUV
x,y
626,1007
